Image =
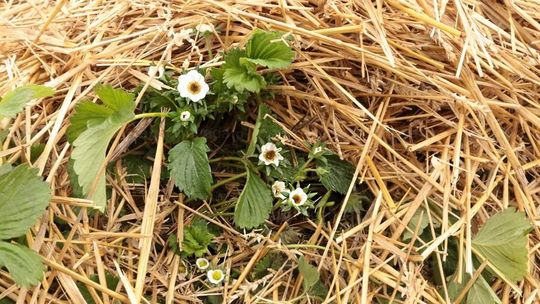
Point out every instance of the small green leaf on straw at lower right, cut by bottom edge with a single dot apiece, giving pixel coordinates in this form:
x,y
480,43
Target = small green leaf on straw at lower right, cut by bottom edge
x,y
479,293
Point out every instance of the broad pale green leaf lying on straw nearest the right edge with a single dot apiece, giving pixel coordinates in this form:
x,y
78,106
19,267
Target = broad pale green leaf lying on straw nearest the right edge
x,y
503,242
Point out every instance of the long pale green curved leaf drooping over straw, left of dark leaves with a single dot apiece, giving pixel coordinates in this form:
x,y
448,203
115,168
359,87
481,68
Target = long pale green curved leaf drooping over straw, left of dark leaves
x,y
89,154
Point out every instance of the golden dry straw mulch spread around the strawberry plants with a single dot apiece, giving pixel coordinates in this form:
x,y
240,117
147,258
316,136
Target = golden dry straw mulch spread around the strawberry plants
x,y
432,101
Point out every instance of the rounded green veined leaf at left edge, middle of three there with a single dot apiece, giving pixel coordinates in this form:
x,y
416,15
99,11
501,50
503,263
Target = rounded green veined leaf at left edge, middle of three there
x,y
23,198
